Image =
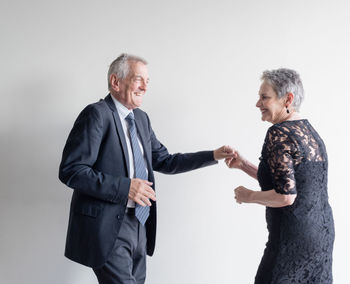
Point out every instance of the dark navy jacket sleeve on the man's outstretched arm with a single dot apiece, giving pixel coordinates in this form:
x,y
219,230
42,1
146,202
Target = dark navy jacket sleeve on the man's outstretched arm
x,y
177,163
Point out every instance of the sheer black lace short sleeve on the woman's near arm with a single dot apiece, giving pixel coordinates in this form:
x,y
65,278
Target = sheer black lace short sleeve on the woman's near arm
x,y
280,150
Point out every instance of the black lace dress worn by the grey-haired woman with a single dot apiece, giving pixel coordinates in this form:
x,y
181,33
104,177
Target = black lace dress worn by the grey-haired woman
x,y
301,236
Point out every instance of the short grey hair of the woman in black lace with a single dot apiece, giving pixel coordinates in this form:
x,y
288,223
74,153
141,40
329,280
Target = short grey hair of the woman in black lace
x,y
285,81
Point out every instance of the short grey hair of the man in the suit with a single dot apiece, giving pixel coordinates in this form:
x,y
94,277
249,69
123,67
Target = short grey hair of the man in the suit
x,y
120,66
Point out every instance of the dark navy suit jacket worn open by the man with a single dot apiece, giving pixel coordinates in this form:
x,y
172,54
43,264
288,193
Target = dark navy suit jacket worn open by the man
x,y
95,164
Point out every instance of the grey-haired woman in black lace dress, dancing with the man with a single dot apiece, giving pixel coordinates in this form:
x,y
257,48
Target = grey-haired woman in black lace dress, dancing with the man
x,y
293,177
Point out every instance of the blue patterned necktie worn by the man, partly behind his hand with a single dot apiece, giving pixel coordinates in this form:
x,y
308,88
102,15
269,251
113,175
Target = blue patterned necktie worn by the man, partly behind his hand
x,y
141,212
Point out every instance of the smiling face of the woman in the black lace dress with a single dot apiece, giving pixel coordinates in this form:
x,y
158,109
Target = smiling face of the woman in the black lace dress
x,y
272,108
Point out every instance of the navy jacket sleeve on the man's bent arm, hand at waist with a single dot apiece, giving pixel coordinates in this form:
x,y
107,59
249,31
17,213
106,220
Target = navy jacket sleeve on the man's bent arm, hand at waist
x,y
79,156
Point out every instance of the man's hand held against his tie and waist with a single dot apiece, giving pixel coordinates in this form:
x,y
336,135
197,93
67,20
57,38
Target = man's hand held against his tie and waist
x,y
141,192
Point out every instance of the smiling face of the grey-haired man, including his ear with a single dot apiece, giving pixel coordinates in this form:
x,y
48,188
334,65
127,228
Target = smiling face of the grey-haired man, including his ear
x,y
130,91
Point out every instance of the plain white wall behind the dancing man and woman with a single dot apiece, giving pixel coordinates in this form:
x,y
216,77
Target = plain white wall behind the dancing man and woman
x,y
205,60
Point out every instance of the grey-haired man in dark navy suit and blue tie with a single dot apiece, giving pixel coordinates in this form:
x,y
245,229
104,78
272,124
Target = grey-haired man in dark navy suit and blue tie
x,y
108,160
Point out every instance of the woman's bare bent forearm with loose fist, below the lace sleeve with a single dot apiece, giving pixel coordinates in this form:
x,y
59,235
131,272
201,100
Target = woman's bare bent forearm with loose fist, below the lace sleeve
x,y
269,198
